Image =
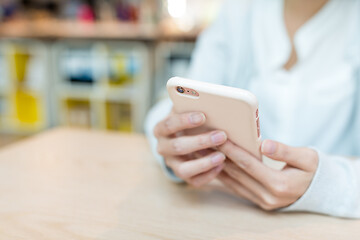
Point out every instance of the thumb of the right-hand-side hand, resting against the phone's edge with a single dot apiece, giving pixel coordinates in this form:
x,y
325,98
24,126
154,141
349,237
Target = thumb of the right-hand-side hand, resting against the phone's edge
x,y
302,158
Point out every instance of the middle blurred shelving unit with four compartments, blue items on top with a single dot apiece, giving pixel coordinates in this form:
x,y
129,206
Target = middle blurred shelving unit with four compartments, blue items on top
x,y
115,92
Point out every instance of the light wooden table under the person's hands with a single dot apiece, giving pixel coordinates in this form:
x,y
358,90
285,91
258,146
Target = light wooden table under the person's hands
x,y
78,184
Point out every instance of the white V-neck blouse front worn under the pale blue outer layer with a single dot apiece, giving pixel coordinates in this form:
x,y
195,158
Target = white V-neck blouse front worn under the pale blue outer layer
x,y
319,88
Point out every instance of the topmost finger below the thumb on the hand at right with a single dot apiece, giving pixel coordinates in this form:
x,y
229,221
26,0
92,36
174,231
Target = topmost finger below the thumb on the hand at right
x,y
251,165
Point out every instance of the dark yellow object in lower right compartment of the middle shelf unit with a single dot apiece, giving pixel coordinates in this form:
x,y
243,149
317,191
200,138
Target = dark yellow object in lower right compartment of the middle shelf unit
x,y
118,116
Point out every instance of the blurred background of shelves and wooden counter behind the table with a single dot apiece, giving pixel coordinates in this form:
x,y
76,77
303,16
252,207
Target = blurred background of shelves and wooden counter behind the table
x,y
94,64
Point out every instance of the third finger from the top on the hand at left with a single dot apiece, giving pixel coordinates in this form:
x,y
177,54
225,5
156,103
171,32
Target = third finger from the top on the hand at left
x,y
191,168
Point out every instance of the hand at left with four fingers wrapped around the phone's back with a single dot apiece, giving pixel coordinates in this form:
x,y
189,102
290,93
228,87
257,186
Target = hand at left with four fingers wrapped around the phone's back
x,y
191,157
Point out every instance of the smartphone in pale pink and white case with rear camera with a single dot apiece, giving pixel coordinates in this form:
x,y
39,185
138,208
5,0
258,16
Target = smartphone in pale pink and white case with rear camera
x,y
229,109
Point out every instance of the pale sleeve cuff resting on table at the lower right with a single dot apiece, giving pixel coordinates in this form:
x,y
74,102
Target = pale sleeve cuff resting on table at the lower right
x,y
335,188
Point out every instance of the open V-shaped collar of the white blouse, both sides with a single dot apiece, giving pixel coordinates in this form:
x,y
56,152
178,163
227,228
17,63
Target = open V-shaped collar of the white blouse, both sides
x,y
271,40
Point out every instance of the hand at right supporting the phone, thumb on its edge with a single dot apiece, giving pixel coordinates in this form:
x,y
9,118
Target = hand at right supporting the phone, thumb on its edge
x,y
268,188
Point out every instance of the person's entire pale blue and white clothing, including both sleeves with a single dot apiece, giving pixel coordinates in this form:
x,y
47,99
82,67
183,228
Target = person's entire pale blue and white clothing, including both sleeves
x,y
313,104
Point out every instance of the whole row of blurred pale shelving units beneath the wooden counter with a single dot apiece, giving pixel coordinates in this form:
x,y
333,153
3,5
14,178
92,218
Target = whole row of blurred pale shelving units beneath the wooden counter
x,y
99,84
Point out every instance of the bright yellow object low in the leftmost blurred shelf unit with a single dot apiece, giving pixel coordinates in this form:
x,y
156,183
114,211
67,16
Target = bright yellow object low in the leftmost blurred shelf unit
x,y
27,107
